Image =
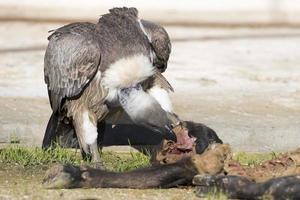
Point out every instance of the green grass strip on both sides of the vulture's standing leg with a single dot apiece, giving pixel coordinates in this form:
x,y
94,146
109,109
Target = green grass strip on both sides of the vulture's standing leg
x,y
35,157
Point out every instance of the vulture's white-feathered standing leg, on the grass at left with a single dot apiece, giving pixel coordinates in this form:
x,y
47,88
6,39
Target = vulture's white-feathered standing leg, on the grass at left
x,y
85,123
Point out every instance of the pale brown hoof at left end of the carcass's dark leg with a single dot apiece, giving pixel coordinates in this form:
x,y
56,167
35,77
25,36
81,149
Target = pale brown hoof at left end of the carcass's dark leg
x,y
61,176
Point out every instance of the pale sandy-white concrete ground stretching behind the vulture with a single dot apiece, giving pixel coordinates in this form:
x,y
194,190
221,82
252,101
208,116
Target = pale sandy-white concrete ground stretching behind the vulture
x,y
242,82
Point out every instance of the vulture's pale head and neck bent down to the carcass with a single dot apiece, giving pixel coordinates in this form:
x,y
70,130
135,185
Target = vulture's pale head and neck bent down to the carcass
x,y
145,110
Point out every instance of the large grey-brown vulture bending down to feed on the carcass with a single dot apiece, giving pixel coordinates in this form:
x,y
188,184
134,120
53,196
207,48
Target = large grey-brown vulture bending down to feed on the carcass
x,y
92,70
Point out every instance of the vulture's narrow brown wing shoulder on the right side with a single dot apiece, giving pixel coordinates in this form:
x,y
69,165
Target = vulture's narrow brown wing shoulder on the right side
x,y
160,42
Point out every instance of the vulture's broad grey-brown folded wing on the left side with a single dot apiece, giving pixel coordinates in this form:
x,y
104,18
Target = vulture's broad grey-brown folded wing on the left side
x,y
71,61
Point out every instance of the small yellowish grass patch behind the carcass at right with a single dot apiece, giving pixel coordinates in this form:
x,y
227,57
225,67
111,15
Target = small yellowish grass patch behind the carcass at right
x,y
252,159
